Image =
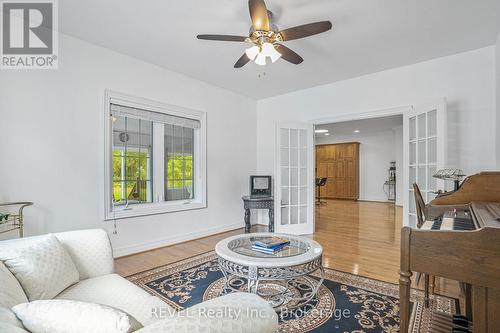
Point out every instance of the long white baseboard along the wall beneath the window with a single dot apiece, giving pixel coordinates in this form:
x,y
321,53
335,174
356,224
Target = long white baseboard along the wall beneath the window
x,y
127,250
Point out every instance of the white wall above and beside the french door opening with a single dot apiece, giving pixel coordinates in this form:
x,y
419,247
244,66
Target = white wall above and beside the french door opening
x,y
467,80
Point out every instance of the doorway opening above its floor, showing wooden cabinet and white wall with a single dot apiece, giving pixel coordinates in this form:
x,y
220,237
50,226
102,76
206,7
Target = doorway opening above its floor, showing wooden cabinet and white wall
x,y
360,160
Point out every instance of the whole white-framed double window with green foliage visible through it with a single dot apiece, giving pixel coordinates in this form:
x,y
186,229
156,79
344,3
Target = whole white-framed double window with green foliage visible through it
x,y
155,157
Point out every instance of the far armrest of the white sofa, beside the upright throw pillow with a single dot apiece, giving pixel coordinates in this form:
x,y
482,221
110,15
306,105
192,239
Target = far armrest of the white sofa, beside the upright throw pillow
x,y
90,250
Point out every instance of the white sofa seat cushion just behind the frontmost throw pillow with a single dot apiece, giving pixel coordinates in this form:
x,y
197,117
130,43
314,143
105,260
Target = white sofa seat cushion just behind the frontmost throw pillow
x,y
117,292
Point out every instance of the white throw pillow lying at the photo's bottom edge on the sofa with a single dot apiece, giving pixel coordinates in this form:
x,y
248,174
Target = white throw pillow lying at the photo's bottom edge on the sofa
x,y
63,316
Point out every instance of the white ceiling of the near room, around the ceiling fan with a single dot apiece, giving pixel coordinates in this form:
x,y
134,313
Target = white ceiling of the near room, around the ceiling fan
x,y
368,36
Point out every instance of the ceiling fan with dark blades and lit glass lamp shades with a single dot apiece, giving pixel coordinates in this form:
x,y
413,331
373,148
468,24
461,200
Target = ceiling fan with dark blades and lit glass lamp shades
x,y
267,39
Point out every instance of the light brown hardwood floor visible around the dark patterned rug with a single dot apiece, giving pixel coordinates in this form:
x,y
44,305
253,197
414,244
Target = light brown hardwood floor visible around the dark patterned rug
x,y
357,237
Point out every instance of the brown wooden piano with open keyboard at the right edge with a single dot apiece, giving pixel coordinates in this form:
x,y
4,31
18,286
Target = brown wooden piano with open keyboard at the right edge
x,y
460,240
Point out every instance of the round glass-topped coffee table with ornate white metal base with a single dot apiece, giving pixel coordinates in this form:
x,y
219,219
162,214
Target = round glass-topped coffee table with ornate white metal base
x,y
282,278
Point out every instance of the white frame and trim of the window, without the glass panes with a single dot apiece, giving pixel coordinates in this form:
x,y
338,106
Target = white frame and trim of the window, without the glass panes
x,y
158,206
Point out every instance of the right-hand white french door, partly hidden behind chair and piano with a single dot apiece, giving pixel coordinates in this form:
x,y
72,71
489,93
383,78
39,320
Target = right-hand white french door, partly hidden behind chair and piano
x,y
424,131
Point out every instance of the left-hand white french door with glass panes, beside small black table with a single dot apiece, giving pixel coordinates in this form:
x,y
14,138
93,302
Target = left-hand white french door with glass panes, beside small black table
x,y
294,170
